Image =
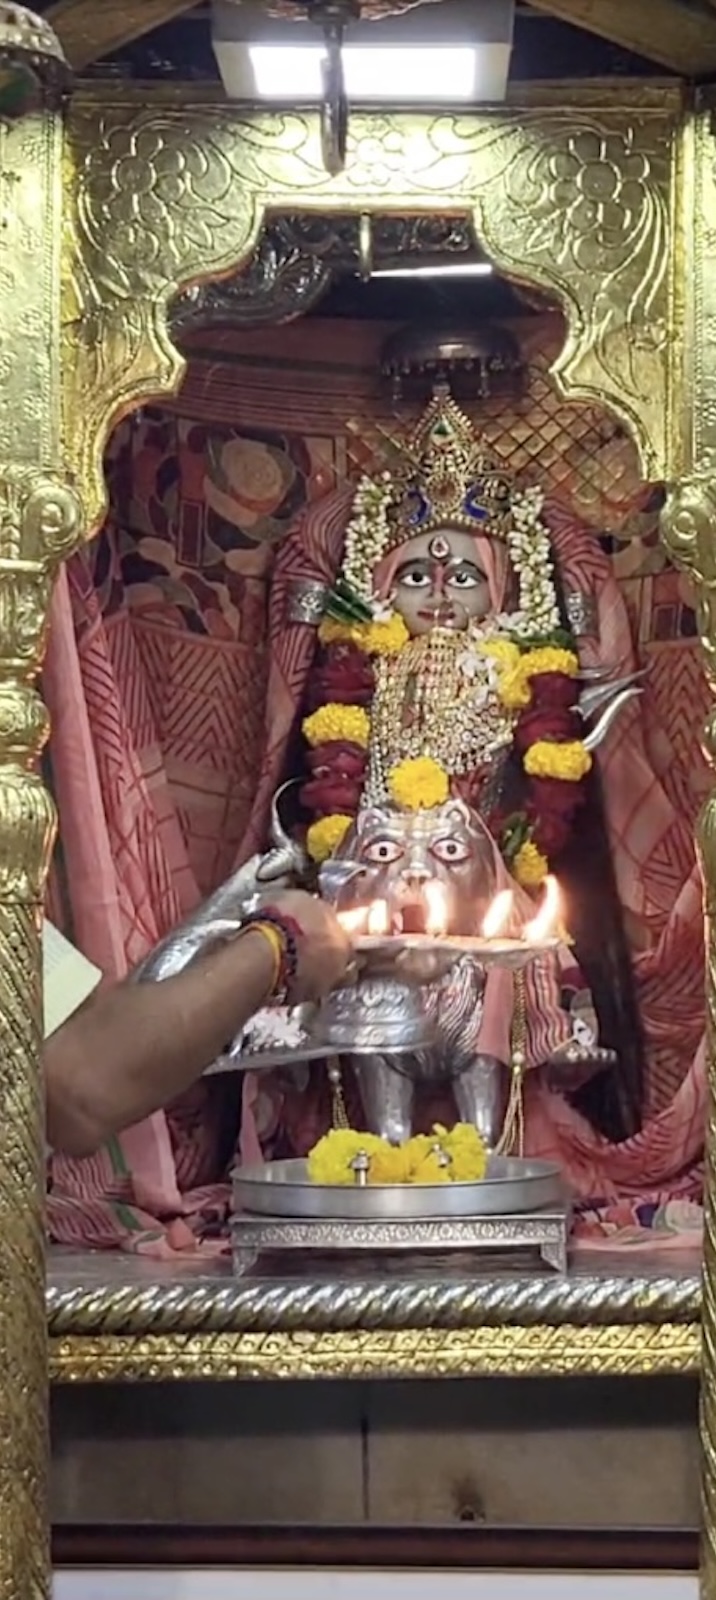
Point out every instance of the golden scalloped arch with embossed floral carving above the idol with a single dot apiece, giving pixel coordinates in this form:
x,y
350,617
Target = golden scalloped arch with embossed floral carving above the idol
x,y
579,201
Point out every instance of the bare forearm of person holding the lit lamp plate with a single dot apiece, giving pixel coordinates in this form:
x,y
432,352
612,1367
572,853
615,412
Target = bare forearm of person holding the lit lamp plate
x,y
135,1047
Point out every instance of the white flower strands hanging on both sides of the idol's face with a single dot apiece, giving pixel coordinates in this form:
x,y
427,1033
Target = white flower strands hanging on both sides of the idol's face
x,y
528,543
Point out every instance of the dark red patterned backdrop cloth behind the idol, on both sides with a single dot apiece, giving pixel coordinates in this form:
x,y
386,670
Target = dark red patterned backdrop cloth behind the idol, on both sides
x,y
202,495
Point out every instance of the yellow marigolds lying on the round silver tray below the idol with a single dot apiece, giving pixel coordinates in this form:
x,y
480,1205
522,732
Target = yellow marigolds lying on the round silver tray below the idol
x,y
420,1161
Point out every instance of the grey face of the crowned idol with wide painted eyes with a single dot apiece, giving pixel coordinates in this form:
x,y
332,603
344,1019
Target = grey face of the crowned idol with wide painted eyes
x,y
440,583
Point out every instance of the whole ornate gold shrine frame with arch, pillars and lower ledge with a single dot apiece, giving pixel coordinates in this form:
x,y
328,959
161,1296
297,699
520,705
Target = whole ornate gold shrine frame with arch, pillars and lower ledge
x,y
608,202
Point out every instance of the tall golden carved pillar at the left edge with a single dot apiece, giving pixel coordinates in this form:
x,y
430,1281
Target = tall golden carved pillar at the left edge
x,y
39,524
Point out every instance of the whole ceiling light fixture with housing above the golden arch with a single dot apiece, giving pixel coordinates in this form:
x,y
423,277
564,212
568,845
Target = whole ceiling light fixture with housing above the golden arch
x,y
431,55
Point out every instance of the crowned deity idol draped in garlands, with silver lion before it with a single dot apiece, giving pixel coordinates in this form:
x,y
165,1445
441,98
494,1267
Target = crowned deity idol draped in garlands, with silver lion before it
x,y
448,743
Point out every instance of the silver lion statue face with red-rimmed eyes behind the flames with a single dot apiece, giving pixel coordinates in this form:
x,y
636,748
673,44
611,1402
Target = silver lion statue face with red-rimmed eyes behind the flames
x,y
400,854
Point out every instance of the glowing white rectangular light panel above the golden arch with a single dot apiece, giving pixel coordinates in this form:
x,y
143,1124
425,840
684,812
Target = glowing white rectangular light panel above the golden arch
x,y
373,73
